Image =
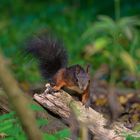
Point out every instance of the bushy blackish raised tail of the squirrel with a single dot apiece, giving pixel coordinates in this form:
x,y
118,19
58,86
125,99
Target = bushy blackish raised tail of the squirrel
x,y
50,52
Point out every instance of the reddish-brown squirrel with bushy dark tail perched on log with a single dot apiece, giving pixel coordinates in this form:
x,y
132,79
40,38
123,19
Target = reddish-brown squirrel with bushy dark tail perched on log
x,y
53,59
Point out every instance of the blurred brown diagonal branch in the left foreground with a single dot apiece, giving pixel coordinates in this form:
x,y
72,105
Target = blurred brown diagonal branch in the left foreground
x,y
19,102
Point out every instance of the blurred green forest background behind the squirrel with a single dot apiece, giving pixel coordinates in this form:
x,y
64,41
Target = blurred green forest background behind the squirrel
x,y
113,38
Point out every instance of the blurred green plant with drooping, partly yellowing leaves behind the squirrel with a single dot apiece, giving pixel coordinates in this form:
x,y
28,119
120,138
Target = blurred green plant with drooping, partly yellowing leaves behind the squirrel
x,y
115,43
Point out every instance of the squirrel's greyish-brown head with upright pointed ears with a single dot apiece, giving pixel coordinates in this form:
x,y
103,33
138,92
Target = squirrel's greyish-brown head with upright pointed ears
x,y
82,77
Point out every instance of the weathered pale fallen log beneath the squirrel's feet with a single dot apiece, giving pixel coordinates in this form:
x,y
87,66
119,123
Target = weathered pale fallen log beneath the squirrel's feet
x,y
61,103
